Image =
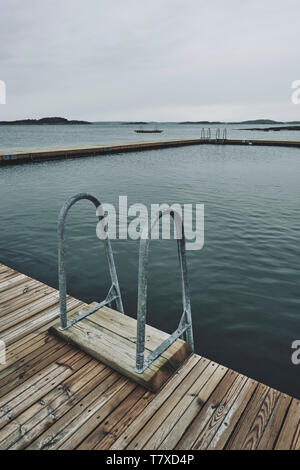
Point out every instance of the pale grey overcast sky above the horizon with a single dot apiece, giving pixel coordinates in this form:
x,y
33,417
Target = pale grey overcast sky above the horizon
x,y
164,60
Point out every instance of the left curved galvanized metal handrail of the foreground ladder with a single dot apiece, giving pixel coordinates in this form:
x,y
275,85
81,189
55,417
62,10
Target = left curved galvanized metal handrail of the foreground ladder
x,y
114,293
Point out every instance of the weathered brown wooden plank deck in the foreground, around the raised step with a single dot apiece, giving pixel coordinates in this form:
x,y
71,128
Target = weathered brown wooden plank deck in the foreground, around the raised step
x,y
54,396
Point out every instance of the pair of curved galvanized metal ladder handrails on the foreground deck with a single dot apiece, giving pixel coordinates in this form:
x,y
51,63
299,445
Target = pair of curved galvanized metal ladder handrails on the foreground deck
x,y
184,328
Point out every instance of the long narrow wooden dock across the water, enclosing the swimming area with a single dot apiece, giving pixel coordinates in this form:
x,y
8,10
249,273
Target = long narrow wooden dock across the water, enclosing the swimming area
x,y
38,155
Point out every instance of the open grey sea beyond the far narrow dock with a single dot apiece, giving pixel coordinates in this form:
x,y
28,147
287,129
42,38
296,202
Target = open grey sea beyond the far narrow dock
x,y
22,137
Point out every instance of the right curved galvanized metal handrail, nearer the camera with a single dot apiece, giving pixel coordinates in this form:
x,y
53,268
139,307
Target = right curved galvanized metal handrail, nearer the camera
x,y
185,325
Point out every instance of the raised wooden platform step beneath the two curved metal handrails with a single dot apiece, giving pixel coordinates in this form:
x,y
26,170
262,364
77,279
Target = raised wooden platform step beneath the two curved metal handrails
x,y
110,337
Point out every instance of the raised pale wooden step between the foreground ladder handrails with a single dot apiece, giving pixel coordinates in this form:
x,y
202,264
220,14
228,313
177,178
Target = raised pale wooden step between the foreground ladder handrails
x,y
99,342
